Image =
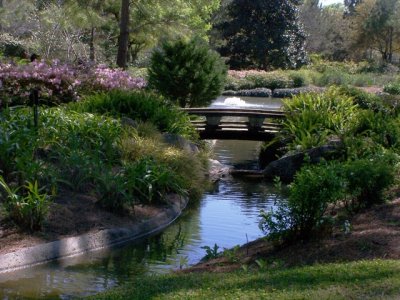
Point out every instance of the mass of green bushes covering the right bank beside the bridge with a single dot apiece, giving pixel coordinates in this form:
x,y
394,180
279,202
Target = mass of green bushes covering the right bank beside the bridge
x,y
367,129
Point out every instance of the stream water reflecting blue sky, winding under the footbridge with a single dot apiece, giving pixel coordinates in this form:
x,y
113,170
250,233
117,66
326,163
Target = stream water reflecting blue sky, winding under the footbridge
x,y
227,215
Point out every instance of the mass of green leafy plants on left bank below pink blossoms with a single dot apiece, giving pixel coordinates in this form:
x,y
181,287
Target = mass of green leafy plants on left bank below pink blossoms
x,y
91,153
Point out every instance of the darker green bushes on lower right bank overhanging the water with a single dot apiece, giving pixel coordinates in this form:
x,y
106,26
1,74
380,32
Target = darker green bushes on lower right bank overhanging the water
x,y
354,184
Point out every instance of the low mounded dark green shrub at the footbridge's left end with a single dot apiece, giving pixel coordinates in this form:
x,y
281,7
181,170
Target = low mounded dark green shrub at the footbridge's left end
x,y
140,106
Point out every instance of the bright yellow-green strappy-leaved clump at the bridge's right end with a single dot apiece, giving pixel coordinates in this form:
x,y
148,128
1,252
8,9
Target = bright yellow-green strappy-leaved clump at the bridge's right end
x,y
311,118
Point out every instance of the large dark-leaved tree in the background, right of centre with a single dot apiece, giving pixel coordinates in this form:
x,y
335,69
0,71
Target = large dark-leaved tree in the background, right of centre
x,y
263,34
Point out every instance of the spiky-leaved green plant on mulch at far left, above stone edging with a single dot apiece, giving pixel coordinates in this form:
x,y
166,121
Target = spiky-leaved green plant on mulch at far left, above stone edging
x,y
28,206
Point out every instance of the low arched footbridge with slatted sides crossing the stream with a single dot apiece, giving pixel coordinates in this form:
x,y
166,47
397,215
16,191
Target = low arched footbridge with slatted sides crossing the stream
x,y
253,124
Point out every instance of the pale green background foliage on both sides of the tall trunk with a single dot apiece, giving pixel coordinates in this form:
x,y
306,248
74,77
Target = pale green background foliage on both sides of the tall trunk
x,y
89,30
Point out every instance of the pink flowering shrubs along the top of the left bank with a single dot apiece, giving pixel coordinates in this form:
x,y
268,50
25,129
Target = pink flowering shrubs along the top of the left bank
x,y
59,83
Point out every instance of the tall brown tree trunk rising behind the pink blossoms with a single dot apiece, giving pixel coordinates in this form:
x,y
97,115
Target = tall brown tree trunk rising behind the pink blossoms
x,y
123,35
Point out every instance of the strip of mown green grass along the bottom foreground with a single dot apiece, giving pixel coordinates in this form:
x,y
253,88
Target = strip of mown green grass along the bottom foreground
x,y
377,279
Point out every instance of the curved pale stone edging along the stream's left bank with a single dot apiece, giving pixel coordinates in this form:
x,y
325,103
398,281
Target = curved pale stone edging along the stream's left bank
x,y
78,245
